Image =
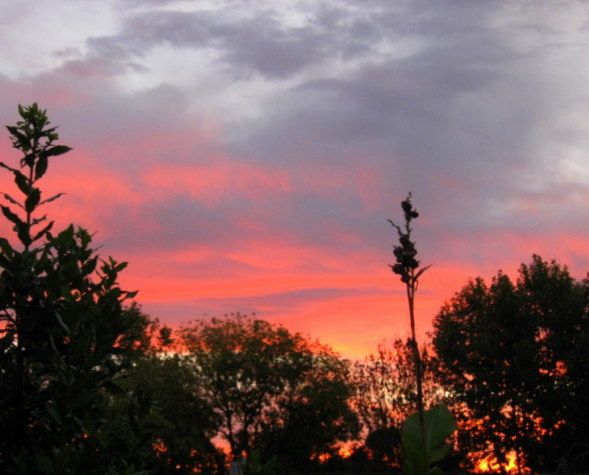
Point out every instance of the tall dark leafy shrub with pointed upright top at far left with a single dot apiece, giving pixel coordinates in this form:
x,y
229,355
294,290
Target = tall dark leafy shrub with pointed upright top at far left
x,y
65,336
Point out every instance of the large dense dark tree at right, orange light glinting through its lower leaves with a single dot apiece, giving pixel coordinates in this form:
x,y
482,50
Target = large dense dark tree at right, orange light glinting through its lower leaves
x,y
515,355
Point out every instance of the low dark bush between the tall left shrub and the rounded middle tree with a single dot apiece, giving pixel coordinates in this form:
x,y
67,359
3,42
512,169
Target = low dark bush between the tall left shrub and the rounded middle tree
x,y
169,420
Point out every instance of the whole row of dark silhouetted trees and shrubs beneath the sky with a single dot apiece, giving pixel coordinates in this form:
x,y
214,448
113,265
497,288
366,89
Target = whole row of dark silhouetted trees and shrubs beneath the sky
x,y
91,385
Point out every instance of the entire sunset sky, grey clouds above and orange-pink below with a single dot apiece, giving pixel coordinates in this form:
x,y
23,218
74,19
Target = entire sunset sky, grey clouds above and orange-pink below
x,y
244,156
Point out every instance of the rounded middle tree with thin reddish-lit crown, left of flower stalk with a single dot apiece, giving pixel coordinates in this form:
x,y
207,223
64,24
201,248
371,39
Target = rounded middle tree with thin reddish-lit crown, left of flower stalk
x,y
273,390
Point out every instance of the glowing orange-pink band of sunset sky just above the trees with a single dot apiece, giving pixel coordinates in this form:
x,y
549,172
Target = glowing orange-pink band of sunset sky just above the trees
x,y
342,293
